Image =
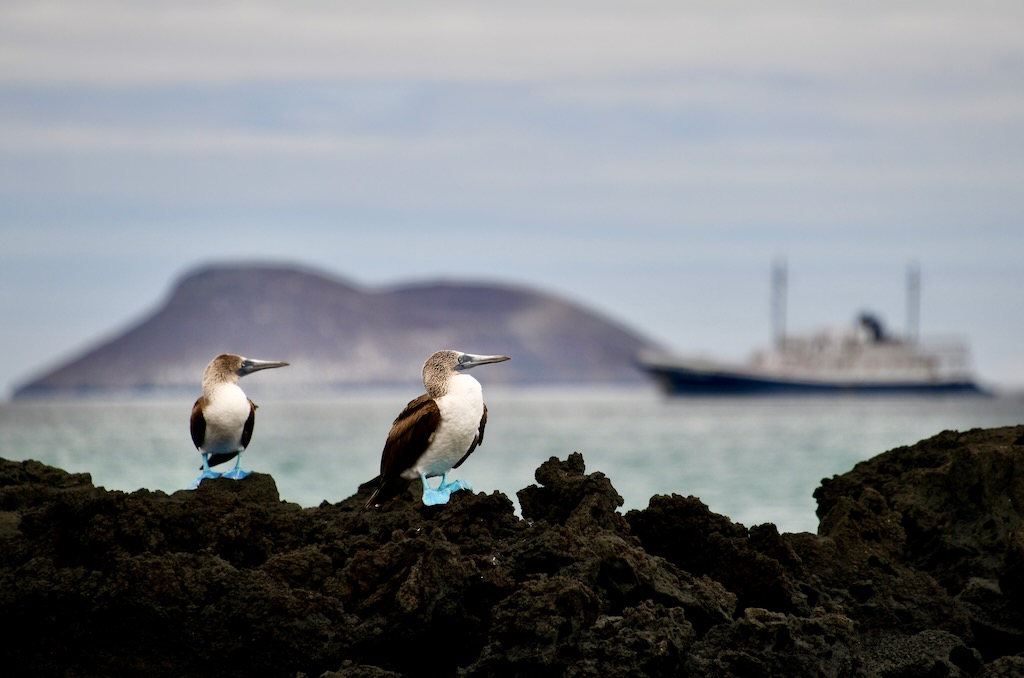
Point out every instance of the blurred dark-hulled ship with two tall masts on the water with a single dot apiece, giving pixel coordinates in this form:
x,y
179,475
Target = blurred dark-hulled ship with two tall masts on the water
x,y
864,358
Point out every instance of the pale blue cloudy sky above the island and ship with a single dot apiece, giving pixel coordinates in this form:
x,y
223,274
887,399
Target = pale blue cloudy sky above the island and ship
x,y
650,160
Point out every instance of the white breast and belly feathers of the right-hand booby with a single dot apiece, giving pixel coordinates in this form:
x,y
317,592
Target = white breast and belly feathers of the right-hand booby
x,y
462,410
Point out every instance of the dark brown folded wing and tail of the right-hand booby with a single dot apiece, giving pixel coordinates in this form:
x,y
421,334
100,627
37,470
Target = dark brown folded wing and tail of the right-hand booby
x,y
411,434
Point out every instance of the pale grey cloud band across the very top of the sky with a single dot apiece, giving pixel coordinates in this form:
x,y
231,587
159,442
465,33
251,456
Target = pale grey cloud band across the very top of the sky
x,y
124,43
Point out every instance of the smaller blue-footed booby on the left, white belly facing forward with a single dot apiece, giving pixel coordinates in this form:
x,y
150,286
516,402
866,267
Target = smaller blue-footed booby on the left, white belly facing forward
x,y
224,417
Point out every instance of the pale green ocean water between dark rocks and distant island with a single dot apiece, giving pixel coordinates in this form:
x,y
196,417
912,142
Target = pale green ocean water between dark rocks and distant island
x,y
755,460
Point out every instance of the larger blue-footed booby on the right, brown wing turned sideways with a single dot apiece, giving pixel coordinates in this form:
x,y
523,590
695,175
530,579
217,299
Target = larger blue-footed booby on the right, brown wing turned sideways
x,y
437,432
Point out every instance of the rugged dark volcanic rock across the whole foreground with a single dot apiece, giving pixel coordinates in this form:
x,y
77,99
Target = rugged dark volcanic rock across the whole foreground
x,y
916,572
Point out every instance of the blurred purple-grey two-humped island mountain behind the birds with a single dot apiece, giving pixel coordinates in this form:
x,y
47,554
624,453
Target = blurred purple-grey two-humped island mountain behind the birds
x,y
337,335
